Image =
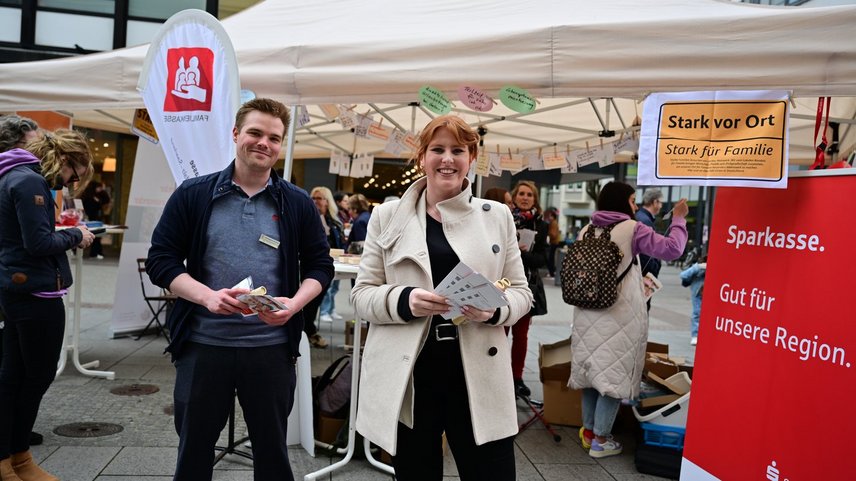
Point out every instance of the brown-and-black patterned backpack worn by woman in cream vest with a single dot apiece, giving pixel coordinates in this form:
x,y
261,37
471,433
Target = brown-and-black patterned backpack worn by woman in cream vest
x,y
590,268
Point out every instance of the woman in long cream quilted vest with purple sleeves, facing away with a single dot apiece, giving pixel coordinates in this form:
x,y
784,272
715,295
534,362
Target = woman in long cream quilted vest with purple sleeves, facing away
x,y
608,345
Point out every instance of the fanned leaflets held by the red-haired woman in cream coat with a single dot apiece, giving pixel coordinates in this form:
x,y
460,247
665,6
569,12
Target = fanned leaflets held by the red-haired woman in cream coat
x,y
465,287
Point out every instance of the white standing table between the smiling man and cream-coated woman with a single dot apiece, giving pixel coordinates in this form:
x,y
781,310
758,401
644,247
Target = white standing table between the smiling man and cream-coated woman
x,y
349,271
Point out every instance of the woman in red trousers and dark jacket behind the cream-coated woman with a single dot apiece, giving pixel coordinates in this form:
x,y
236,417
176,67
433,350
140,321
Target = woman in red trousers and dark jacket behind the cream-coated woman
x,y
527,216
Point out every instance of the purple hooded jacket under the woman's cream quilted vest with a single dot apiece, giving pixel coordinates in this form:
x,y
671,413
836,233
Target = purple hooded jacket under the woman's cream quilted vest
x,y
645,239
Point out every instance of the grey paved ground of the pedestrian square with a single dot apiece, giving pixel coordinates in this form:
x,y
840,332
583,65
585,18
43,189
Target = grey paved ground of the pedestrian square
x,y
146,447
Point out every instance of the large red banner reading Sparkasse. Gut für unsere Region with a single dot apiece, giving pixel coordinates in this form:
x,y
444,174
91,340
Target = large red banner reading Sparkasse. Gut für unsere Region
x,y
775,374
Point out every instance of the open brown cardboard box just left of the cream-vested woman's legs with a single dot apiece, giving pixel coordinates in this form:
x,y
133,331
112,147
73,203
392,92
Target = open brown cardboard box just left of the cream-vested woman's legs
x,y
562,405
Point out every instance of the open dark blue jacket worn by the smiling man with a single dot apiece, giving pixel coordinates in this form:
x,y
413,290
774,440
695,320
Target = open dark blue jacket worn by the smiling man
x,y
180,235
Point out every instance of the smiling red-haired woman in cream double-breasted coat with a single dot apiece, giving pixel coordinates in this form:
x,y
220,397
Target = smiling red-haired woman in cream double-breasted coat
x,y
422,374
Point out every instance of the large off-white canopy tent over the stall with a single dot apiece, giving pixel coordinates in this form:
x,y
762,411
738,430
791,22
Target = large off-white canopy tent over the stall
x,y
562,51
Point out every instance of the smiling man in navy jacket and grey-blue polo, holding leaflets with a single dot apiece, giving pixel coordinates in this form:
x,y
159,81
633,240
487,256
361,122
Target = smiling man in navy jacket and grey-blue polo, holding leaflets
x,y
243,221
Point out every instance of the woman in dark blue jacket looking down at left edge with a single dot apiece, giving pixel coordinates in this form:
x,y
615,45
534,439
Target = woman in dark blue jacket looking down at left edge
x,y
34,275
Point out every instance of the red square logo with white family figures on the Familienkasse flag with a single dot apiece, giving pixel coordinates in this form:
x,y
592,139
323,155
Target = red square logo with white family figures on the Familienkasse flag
x,y
190,82
